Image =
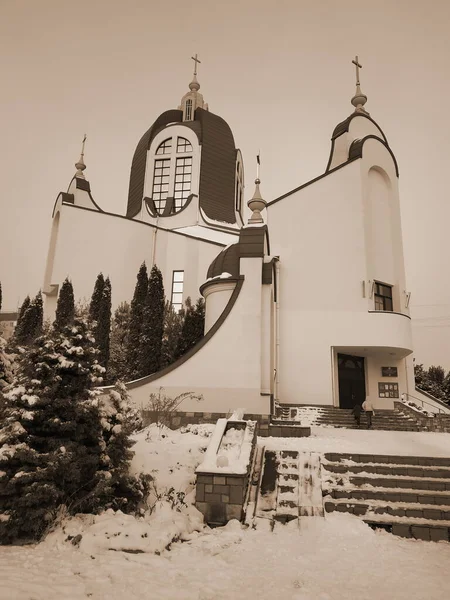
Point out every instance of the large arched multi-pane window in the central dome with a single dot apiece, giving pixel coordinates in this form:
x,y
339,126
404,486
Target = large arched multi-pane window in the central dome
x,y
172,174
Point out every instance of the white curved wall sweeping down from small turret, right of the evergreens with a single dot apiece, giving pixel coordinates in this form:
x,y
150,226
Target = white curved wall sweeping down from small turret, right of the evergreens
x,y
227,369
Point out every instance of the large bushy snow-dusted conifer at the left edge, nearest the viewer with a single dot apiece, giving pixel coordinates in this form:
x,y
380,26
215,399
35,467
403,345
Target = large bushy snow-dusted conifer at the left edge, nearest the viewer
x,y
52,444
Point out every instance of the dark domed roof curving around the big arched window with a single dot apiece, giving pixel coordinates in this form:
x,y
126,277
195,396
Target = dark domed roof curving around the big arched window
x,y
217,168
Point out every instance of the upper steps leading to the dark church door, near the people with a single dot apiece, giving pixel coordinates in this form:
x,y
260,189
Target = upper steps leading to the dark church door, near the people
x,y
330,416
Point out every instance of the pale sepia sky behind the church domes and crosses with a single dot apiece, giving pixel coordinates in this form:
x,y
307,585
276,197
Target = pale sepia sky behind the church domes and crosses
x,y
280,74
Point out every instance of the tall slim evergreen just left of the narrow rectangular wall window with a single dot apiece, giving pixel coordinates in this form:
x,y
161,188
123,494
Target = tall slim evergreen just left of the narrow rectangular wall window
x,y
150,339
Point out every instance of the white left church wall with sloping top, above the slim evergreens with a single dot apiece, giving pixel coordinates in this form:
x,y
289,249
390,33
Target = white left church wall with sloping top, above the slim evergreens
x,y
88,242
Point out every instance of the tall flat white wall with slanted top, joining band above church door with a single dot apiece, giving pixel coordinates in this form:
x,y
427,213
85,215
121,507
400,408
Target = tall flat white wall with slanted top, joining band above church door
x,y
322,249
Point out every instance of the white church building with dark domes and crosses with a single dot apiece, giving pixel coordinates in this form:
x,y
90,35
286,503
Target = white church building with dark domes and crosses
x,y
306,300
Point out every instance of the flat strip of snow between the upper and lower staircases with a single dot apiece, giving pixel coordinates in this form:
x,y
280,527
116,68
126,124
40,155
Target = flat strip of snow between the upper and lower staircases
x,y
327,439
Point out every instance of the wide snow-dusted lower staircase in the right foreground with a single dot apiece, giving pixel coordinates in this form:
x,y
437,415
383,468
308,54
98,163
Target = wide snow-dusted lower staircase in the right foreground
x,y
408,496
